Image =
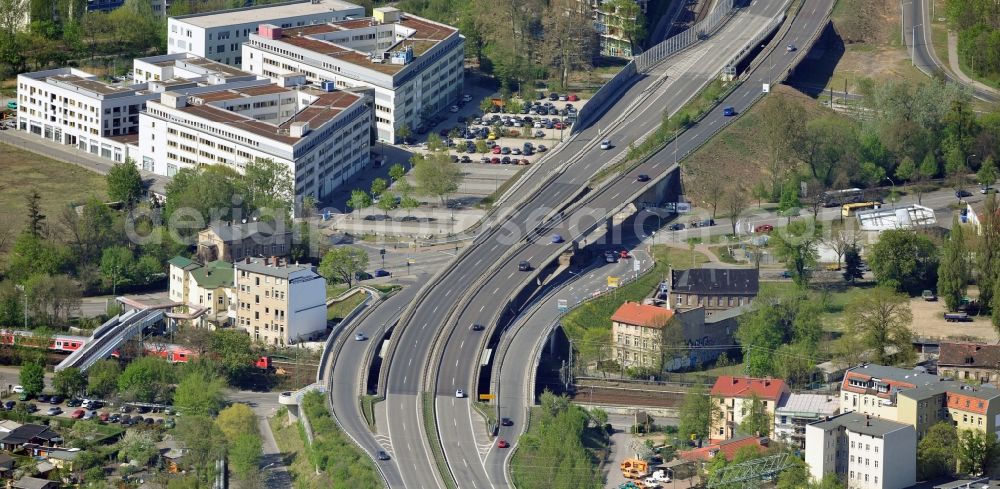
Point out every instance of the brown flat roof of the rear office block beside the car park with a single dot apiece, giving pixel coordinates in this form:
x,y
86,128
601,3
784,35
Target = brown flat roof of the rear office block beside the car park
x,y
426,35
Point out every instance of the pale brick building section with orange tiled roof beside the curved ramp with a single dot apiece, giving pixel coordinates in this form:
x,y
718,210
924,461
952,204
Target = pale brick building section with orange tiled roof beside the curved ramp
x,y
637,333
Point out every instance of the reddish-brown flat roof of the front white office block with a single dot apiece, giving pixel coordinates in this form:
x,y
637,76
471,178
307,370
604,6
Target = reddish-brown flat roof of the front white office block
x,y
323,109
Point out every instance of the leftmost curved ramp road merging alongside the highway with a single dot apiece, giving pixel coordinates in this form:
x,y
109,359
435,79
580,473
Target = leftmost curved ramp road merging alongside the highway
x,y
350,368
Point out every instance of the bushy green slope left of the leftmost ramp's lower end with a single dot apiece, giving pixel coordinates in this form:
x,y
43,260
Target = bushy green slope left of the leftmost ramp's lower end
x,y
333,452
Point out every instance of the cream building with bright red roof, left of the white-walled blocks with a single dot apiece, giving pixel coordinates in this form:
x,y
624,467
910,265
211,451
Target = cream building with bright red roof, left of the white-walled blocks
x,y
733,395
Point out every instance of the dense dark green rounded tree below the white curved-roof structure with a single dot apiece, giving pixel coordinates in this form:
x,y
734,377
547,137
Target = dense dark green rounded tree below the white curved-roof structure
x,y
904,260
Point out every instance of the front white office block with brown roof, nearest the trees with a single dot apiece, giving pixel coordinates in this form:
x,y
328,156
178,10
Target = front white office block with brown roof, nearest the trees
x,y
321,135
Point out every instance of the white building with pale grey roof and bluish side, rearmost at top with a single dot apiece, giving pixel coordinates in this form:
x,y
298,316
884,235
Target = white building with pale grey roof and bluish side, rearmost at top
x,y
219,35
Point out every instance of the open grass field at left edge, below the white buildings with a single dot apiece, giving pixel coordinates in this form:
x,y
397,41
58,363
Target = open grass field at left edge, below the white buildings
x,y
59,184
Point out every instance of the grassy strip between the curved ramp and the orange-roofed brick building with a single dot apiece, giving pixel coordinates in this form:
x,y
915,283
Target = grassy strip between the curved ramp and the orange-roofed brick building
x,y
594,317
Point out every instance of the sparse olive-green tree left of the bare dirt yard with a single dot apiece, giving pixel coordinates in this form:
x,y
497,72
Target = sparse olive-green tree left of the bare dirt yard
x,y
880,321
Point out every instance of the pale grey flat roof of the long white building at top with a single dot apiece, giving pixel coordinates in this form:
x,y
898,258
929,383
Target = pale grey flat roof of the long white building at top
x,y
266,13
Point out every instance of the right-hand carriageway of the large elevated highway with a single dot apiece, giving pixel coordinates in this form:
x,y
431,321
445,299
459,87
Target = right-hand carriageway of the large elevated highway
x,y
464,437
